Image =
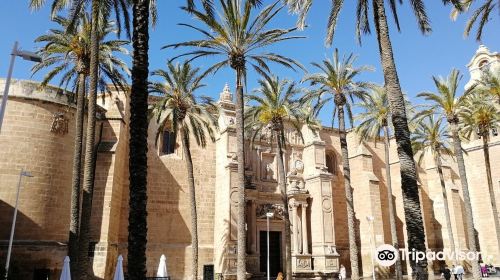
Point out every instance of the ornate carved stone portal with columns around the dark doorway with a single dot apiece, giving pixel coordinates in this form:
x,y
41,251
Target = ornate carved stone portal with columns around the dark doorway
x,y
310,204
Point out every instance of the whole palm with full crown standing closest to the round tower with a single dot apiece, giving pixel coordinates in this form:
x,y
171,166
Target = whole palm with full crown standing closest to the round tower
x,y
67,54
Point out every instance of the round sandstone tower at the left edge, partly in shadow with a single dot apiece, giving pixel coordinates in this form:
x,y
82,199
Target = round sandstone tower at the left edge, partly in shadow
x,y
26,142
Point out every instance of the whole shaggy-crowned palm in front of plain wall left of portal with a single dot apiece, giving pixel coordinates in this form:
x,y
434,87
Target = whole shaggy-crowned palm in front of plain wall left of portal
x,y
187,117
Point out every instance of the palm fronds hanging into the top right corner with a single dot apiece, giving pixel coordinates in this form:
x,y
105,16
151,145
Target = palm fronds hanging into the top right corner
x,y
481,15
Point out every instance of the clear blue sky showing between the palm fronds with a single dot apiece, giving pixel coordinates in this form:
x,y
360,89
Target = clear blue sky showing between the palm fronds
x,y
418,57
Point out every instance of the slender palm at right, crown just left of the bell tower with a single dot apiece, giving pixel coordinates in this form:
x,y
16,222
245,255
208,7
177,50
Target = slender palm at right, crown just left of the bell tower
x,y
447,104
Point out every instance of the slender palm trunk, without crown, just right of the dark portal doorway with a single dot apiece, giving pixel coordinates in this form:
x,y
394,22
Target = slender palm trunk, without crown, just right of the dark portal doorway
x,y
284,197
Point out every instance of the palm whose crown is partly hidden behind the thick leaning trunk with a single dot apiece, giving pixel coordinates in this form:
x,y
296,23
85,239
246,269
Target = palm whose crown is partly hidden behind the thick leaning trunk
x,y
373,121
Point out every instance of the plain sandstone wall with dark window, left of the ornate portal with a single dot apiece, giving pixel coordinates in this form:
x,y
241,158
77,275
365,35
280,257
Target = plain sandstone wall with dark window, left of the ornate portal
x,y
169,220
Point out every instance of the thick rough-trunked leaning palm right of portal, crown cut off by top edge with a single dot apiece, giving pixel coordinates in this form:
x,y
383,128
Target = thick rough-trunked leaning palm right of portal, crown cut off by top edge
x,y
411,200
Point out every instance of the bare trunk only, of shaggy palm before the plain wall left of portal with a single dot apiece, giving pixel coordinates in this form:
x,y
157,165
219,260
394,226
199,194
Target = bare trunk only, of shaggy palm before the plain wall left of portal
x,y
192,198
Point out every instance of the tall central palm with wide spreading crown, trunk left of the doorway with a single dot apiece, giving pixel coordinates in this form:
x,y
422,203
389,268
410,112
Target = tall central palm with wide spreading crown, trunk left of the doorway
x,y
238,36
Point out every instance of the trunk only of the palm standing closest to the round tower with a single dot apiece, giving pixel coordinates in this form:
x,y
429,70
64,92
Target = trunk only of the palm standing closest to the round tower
x,y
74,224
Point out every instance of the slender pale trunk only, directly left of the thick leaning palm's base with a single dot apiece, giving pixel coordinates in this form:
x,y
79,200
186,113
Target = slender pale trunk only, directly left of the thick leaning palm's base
x,y
392,212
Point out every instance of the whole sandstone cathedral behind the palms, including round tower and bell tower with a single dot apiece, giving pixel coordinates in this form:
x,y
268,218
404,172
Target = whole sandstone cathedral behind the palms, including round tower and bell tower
x,y
38,135
